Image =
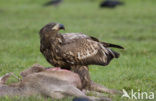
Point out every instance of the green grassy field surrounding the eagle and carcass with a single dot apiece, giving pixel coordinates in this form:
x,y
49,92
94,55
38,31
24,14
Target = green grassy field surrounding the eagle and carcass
x,y
132,26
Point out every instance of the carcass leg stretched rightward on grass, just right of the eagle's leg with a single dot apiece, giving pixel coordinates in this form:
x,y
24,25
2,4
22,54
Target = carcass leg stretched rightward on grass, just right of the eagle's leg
x,y
99,88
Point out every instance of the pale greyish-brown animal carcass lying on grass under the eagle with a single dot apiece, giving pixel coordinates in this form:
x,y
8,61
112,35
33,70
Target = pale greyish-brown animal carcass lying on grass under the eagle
x,y
48,84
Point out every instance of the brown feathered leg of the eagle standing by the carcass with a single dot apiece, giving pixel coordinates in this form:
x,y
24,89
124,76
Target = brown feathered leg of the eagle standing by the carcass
x,y
83,72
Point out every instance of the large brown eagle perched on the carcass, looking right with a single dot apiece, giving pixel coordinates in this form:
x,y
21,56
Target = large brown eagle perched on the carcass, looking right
x,y
74,51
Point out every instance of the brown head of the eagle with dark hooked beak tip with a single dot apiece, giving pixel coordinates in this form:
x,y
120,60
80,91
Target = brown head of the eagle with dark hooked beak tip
x,y
51,29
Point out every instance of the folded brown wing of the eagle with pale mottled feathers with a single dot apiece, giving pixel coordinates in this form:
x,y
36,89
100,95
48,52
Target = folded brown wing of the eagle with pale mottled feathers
x,y
86,51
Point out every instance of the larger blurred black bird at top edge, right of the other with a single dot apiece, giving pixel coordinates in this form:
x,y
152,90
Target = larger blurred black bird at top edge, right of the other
x,y
110,3
